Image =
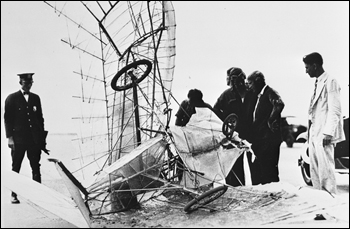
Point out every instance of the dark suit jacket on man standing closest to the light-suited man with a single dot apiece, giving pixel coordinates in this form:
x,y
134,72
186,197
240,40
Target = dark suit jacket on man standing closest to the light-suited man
x,y
269,108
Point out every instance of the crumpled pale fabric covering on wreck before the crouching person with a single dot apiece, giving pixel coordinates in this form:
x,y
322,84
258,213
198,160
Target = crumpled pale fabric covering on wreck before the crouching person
x,y
199,145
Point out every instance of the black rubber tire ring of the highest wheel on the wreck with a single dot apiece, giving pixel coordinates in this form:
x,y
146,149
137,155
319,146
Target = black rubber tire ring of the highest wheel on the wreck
x,y
125,69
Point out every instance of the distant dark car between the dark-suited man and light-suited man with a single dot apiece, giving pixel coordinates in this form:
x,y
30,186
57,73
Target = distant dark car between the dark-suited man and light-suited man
x,y
290,132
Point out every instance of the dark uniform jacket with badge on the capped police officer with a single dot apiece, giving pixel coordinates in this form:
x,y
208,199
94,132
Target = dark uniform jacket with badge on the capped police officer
x,y
24,120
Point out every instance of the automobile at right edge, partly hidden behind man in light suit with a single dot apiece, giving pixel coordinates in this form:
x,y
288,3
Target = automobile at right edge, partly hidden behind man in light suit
x,y
341,155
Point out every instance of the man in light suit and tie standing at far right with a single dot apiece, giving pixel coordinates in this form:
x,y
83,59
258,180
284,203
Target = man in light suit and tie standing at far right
x,y
325,124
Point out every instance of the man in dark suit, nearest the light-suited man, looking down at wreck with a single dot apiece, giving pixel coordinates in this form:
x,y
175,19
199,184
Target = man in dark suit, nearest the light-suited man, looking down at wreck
x,y
266,133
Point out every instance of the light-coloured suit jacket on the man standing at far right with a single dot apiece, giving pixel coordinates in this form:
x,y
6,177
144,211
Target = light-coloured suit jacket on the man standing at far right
x,y
325,110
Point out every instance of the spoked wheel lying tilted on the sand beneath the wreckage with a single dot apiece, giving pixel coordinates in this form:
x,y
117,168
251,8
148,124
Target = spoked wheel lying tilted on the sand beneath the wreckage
x,y
205,198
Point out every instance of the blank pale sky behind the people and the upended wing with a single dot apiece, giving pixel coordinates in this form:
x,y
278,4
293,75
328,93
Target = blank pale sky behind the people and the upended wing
x,y
211,37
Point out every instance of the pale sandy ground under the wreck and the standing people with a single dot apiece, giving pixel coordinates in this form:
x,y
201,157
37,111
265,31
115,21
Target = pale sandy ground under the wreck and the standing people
x,y
288,203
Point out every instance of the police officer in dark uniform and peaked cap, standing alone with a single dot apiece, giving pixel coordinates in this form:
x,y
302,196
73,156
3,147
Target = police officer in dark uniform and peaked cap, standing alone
x,y
24,125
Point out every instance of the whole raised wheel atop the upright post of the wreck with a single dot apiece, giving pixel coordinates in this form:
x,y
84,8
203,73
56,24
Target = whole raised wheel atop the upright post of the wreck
x,y
129,82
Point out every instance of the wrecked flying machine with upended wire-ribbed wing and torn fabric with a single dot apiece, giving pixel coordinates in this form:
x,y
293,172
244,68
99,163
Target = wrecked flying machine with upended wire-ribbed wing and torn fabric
x,y
128,152
